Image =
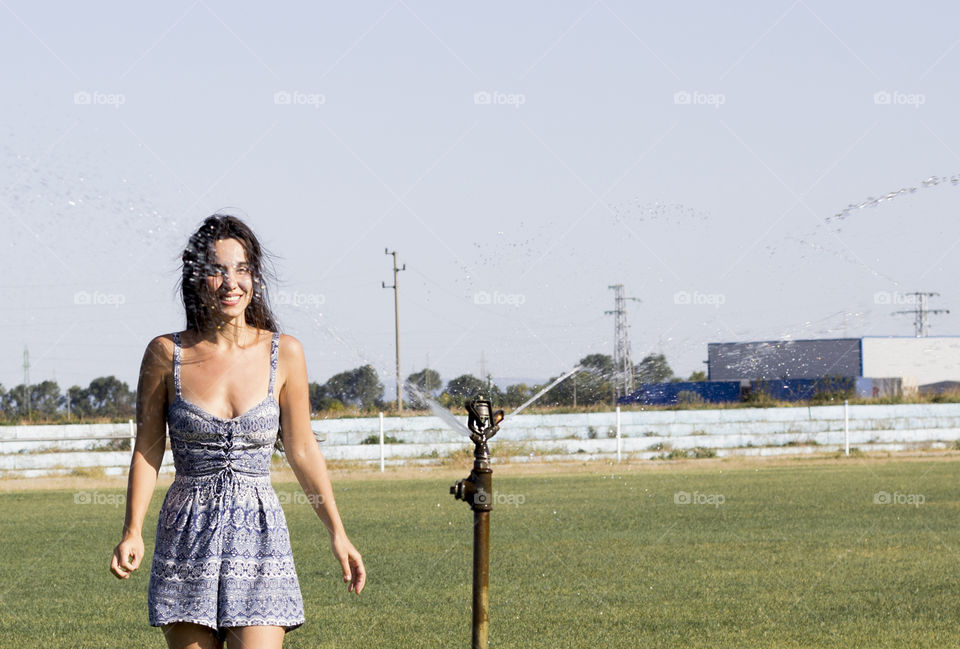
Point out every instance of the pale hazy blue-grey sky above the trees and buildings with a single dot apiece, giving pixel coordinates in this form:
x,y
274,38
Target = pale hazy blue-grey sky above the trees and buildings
x,y
520,157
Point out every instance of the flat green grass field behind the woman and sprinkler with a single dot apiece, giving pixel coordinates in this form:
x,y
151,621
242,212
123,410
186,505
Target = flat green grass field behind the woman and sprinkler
x,y
799,555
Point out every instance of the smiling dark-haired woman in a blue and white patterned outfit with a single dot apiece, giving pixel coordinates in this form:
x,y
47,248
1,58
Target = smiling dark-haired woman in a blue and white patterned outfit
x,y
222,568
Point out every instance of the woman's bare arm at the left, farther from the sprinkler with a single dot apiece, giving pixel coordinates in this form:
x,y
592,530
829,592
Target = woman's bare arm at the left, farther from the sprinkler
x,y
147,456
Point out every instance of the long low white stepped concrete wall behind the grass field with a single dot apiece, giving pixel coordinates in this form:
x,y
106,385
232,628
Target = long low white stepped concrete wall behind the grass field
x,y
646,434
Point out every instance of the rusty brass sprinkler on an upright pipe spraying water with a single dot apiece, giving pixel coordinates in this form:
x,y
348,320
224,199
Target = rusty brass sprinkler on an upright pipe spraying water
x,y
477,491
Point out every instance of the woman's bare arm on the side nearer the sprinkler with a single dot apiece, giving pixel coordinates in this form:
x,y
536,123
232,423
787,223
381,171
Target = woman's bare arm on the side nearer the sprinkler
x,y
307,461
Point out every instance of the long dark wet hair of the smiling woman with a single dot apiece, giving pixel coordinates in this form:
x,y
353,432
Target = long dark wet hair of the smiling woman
x,y
199,302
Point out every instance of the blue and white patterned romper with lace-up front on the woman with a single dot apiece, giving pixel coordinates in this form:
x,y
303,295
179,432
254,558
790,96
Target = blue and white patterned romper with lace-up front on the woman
x,y
222,556
